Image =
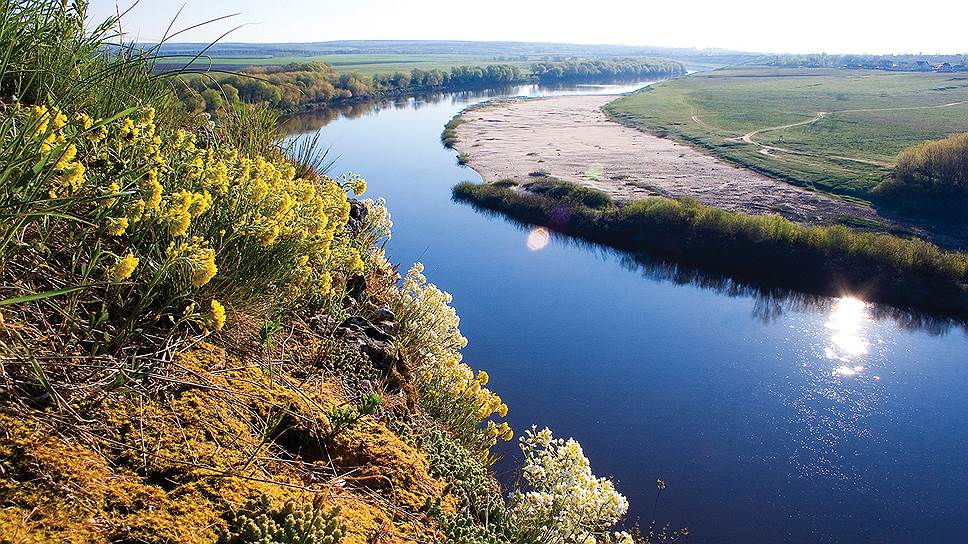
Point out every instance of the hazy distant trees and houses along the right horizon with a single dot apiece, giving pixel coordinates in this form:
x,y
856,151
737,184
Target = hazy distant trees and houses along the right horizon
x,y
893,63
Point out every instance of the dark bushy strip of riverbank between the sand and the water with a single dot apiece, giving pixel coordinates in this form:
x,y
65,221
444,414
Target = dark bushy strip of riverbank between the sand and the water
x,y
822,259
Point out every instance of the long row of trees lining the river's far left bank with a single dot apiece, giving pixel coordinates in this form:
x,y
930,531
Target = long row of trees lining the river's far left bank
x,y
305,85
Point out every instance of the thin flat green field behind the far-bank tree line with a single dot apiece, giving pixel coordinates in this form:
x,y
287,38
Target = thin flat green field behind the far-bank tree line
x,y
366,64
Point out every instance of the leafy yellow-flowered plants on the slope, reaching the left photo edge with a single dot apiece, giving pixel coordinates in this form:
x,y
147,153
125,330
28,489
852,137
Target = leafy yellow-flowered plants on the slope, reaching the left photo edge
x,y
176,228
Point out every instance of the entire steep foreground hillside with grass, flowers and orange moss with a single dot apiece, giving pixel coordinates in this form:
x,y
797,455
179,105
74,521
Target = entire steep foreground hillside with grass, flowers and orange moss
x,y
202,341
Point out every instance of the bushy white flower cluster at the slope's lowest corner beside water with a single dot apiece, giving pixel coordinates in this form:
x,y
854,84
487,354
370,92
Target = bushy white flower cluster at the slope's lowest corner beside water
x,y
564,502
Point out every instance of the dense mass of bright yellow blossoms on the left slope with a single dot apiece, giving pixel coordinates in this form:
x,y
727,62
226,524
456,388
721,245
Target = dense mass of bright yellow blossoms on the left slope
x,y
148,189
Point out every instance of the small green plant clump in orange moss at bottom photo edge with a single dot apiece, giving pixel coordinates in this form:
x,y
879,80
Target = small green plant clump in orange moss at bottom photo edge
x,y
257,522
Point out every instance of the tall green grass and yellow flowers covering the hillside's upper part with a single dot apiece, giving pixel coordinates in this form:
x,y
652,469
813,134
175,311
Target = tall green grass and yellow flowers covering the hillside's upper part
x,y
128,222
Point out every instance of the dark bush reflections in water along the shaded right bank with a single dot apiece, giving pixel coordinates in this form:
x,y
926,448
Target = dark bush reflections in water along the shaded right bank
x,y
770,302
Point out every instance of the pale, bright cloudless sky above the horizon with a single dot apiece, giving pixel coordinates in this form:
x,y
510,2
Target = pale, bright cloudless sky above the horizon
x,y
781,26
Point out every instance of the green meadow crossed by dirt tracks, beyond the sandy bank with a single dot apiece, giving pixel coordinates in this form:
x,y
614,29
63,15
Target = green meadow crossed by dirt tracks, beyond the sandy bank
x,y
836,130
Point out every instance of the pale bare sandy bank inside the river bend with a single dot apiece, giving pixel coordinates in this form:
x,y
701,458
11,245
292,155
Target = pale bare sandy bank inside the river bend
x,y
571,138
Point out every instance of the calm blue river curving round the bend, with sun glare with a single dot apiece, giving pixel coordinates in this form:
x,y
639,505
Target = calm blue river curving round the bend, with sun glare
x,y
773,417
